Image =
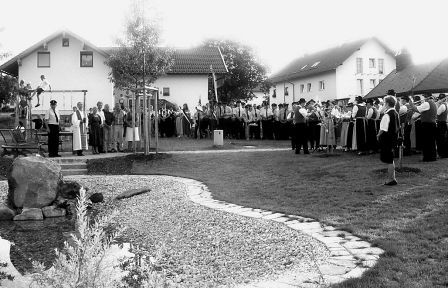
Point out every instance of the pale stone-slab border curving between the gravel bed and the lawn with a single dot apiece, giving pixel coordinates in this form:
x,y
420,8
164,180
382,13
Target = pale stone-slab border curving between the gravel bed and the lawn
x,y
349,257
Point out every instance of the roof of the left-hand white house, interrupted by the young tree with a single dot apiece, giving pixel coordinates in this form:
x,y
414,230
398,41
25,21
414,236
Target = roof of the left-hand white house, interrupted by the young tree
x,y
186,61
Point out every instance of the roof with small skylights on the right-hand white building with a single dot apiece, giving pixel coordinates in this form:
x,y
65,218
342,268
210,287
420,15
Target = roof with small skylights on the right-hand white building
x,y
322,61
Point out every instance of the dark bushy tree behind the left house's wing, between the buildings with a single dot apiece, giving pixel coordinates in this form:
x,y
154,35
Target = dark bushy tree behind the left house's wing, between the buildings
x,y
245,70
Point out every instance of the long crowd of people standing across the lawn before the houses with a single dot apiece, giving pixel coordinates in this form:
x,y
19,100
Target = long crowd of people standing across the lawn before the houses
x,y
310,126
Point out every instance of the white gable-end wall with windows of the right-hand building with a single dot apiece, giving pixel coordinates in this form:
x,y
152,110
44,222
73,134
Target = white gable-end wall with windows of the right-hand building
x,y
346,76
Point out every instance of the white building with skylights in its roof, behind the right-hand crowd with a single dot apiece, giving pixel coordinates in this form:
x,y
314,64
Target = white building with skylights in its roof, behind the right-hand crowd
x,y
346,71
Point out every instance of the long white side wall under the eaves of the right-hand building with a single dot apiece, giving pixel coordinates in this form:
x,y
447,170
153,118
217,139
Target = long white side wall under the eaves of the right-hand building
x,y
329,92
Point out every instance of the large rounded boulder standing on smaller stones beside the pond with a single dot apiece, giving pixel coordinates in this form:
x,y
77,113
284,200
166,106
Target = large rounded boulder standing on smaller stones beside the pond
x,y
33,182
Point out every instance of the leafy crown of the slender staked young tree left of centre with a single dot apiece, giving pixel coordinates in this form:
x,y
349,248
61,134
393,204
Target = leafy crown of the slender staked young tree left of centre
x,y
140,41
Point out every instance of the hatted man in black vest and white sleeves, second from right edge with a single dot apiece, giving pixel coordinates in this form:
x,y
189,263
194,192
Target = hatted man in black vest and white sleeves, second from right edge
x,y
428,111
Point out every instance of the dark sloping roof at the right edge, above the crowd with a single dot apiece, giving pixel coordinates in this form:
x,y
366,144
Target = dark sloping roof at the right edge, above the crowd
x,y
430,77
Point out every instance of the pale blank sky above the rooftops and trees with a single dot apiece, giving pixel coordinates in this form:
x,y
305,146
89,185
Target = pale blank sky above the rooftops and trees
x,y
279,31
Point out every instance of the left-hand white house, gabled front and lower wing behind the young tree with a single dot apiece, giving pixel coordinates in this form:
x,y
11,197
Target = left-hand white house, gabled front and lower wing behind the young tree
x,y
69,62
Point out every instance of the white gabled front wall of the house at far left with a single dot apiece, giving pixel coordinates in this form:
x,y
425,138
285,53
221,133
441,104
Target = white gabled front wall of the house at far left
x,y
65,73
